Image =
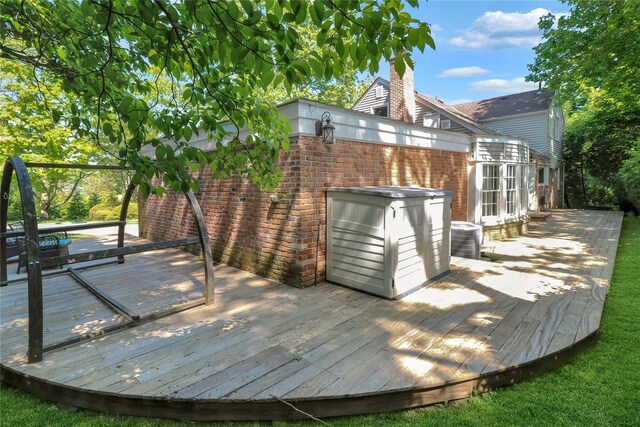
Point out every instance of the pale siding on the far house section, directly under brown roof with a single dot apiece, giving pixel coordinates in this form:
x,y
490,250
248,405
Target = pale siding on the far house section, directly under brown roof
x,y
532,127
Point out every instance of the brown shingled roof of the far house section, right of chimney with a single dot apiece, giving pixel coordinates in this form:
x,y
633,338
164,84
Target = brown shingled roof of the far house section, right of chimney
x,y
508,105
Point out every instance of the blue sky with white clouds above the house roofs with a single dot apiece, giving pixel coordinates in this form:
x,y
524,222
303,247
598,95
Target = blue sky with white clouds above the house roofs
x,y
482,47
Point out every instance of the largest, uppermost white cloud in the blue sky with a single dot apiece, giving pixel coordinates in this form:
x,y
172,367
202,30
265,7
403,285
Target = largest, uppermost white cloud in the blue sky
x,y
496,30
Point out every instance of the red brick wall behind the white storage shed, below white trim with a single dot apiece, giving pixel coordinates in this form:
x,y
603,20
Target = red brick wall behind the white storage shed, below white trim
x,y
278,239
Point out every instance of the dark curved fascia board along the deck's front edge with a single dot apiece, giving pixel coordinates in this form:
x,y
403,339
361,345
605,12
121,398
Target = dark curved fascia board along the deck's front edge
x,y
274,409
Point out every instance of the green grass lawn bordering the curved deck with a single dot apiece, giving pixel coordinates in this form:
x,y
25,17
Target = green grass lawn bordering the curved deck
x,y
598,388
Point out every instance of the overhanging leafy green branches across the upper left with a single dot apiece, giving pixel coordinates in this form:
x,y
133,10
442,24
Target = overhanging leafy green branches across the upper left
x,y
217,56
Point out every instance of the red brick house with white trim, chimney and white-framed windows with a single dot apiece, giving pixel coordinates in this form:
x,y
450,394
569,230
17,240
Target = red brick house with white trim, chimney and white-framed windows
x,y
276,234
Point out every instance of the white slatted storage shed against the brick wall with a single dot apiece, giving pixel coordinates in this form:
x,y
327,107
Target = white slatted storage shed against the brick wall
x,y
387,240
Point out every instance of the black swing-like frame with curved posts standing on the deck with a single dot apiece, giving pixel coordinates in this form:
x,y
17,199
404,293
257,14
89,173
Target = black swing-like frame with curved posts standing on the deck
x,y
35,262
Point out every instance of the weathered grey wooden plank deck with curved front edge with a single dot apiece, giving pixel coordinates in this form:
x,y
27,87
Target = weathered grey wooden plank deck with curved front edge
x,y
327,350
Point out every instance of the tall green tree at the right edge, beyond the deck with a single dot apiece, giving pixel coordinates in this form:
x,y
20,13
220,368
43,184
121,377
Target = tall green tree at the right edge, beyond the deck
x,y
590,57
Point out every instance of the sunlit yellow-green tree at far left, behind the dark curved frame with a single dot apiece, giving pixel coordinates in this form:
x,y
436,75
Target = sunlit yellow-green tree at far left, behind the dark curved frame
x,y
27,130
